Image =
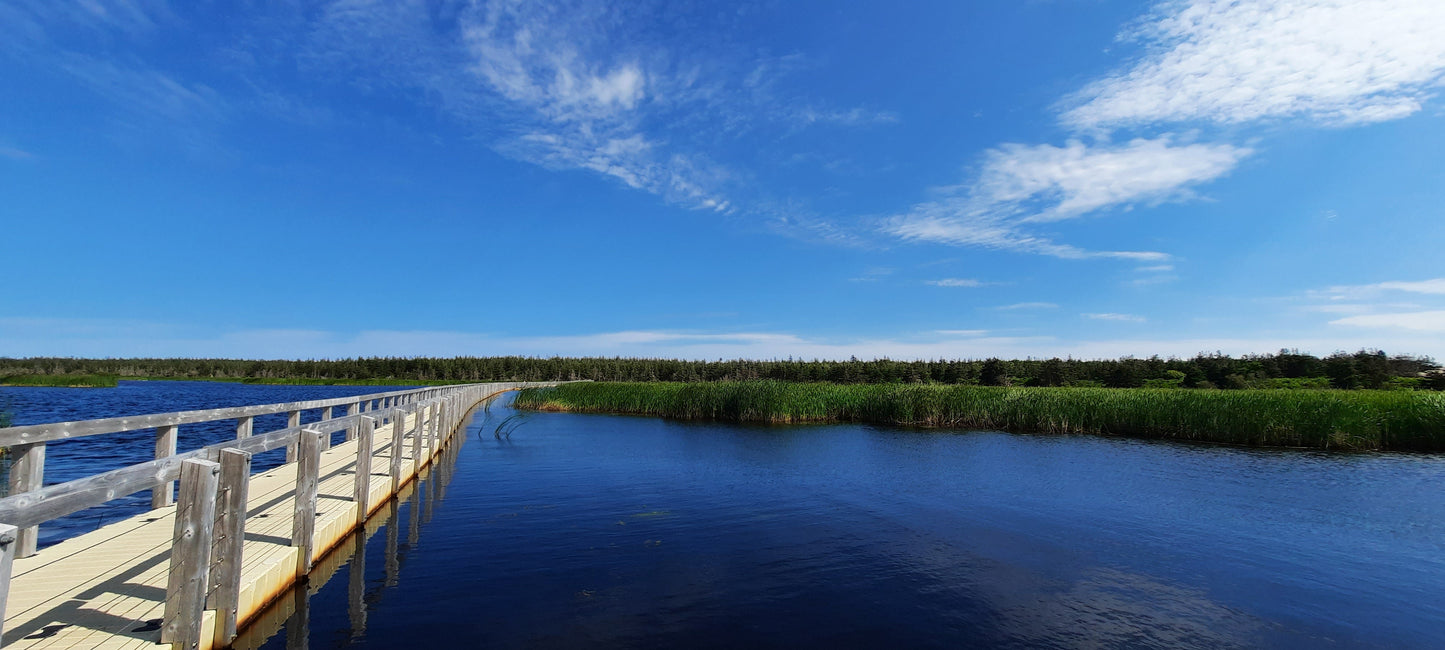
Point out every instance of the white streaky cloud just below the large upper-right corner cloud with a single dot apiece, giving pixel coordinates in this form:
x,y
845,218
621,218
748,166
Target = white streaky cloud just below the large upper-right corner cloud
x,y
1022,186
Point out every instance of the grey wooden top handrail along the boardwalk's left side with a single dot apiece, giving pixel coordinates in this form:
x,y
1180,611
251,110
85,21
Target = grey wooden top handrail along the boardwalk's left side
x,y
61,431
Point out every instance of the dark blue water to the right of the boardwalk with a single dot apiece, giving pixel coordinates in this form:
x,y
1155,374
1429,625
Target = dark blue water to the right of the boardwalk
x,y
632,532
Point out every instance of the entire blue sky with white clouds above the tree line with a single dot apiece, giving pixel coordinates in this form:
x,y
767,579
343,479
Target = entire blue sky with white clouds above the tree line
x,y
920,180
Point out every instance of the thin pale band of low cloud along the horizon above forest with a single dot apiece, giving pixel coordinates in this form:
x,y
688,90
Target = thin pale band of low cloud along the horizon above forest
x,y
121,339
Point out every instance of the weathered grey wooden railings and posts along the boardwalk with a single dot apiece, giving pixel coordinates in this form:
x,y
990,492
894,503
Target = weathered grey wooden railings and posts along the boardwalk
x,y
210,521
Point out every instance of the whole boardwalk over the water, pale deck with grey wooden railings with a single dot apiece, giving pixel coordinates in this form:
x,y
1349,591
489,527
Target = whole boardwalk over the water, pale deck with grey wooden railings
x,y
206,564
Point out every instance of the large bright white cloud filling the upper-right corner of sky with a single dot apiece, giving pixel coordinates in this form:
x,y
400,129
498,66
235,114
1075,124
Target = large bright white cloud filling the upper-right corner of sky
x,y
1225,61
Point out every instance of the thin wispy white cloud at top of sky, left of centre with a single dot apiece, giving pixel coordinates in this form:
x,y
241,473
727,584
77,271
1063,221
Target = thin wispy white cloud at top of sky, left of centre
x,y
579,95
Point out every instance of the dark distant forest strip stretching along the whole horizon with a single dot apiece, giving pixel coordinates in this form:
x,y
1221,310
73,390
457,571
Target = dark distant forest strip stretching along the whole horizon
x,y
1284,370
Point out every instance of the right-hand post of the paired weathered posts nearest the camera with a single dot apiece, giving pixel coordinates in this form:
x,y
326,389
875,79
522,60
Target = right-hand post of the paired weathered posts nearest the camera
x,y
225,594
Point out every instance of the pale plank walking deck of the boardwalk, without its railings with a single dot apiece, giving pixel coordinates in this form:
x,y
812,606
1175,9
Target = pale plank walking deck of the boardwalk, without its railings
x,y
108,589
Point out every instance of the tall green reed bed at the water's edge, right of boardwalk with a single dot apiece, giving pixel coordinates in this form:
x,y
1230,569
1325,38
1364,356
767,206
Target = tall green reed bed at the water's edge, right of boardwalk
x,y
1326,420
